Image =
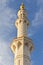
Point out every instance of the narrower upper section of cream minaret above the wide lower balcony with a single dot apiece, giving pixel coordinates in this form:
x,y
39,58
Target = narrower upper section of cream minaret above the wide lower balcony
x,y
22,22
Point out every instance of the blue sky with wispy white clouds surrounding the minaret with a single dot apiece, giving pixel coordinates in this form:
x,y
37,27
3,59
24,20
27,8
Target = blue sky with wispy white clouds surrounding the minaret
x,y
8,15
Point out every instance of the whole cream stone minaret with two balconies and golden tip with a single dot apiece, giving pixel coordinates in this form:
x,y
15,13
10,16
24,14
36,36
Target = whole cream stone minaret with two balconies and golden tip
x,y
22,46
